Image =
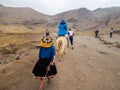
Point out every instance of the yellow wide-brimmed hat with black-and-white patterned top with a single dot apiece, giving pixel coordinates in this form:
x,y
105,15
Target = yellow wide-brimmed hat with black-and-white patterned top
x,y
46,41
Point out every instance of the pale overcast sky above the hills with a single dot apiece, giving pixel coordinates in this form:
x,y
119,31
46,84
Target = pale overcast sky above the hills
x,y
52,7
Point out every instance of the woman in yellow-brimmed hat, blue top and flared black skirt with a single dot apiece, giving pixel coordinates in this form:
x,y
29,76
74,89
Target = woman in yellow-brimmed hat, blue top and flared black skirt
x,y
45,66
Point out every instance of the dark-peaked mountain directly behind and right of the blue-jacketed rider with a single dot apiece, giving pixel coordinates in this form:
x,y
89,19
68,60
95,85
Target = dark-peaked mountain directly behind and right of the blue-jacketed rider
x,y
79,19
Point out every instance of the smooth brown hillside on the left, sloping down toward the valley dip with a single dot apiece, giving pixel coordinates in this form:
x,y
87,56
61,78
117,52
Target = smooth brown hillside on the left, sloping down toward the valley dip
x,y
19,14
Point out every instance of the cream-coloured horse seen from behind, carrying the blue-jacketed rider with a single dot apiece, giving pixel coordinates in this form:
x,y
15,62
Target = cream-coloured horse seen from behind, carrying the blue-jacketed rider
x,y
61,44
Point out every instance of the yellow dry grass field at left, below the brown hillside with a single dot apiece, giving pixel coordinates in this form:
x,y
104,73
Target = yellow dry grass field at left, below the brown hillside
x,y
17,34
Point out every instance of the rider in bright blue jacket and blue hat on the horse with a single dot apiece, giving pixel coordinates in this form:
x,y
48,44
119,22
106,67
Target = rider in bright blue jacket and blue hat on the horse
x,y
62,28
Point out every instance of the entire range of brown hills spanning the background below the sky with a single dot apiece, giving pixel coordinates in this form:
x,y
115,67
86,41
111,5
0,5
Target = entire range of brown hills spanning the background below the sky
x,y
78,19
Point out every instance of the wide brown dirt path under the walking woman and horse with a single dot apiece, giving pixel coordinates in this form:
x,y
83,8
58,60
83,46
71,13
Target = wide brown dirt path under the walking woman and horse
x,y
91,65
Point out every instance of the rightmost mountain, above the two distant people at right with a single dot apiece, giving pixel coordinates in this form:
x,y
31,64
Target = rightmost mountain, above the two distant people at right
x,y
110,17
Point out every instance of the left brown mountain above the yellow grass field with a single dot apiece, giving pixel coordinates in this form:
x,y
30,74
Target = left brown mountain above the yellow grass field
x,y
13,15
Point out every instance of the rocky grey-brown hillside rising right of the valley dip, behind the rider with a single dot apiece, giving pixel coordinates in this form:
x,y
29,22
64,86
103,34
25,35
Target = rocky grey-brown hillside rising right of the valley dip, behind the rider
x,y
89,20
